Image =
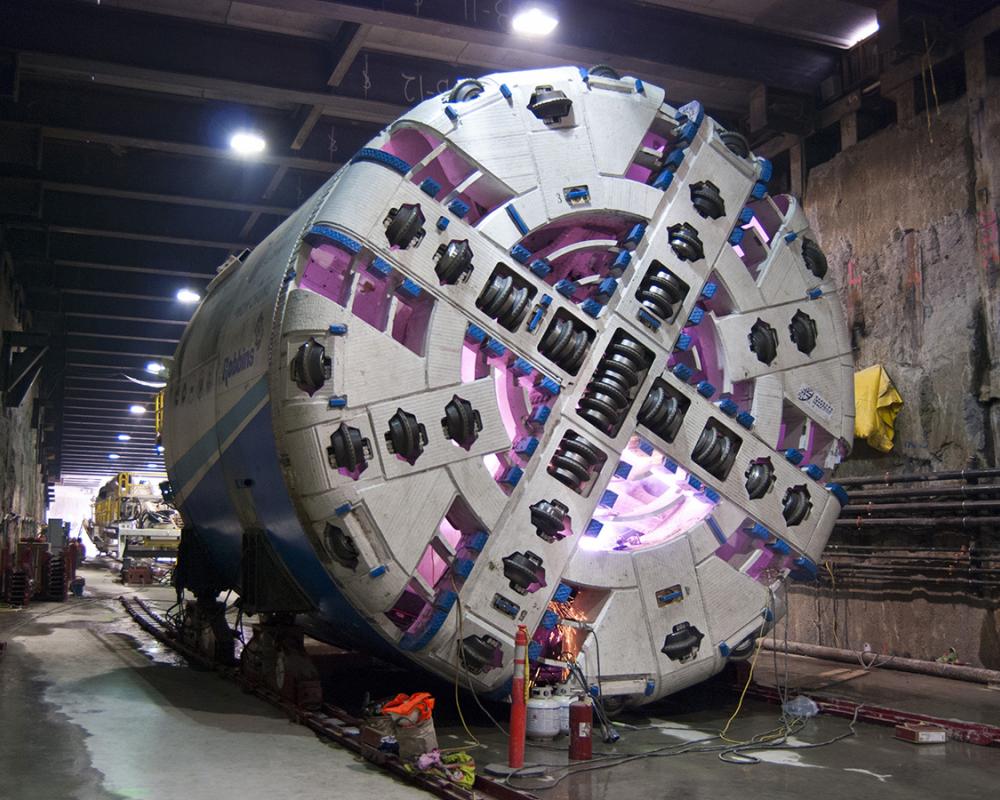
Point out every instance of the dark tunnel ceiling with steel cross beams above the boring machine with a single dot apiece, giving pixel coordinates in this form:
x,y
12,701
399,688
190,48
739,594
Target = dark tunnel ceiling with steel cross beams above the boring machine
x,y
118,187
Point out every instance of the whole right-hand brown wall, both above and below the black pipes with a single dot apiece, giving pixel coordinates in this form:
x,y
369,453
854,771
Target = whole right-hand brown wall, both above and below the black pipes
x,y
908,221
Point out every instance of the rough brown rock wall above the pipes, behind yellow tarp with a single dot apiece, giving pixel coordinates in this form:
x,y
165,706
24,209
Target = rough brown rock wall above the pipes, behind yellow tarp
x,y
897,217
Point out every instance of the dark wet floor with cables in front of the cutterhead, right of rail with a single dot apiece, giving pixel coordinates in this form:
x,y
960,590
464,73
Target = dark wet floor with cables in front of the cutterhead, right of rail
x,y
871,763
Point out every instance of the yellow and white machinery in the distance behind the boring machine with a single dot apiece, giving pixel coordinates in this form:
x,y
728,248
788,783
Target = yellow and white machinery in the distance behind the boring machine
x,y
131,519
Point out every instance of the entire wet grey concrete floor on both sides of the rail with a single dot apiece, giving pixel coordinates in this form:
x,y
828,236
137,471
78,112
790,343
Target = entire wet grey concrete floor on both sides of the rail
x,y
91,707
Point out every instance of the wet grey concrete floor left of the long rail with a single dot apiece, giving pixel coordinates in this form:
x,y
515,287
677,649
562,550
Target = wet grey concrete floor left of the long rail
x,y
93,709
